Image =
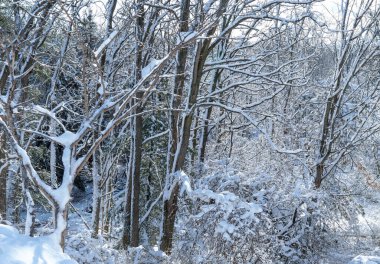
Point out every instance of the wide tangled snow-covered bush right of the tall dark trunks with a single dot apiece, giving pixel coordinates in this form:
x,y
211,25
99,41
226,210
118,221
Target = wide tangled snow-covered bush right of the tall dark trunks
x,y
231,217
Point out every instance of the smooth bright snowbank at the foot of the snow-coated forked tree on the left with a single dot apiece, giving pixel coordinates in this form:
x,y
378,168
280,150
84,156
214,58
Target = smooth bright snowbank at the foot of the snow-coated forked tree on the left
x,y
20,249
